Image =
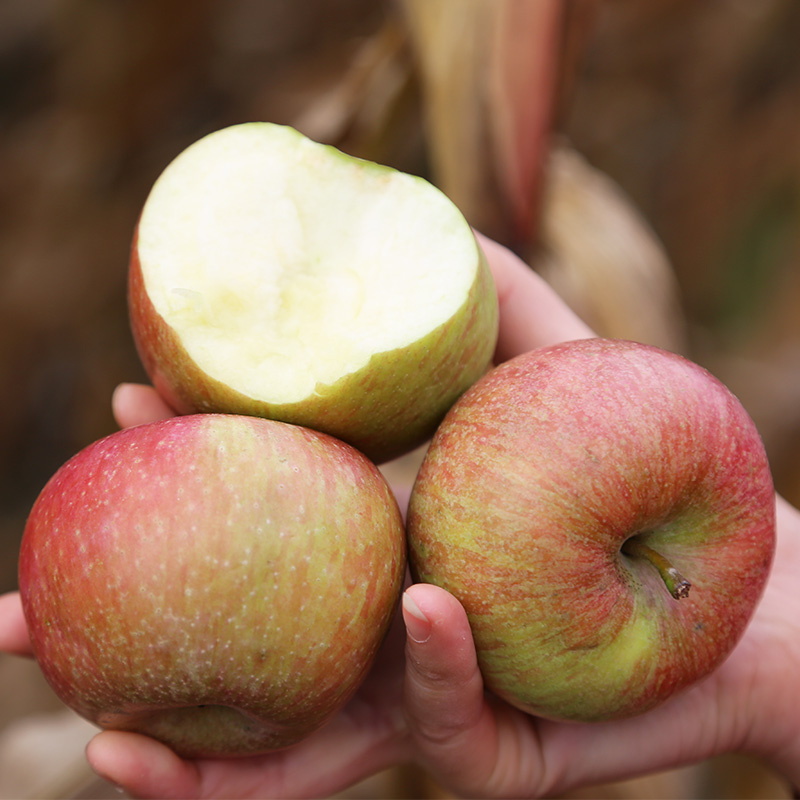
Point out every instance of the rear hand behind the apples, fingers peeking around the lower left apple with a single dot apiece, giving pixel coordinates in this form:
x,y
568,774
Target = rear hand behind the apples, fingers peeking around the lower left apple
x,y
370,733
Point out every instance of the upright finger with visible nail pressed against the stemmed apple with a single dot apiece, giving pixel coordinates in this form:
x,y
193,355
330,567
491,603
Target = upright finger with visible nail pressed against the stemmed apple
x,y
451,725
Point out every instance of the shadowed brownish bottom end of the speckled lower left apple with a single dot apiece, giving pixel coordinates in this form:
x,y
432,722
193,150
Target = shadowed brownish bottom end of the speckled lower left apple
x,y
207,731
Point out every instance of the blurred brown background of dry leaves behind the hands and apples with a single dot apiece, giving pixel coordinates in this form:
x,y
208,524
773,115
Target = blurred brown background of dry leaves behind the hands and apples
x,y
642,156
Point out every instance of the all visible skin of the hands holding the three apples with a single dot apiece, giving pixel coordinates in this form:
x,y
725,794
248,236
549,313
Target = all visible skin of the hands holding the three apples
x,y
431,708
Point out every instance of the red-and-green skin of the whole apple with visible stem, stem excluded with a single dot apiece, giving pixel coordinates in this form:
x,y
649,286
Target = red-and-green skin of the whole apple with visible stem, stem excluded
x,y
532,484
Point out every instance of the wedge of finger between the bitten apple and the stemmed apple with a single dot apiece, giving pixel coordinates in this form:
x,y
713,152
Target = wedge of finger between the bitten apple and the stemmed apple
x,y
531,314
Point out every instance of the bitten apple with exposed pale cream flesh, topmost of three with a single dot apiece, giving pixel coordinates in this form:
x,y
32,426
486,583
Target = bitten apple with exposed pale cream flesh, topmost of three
x,y
275,276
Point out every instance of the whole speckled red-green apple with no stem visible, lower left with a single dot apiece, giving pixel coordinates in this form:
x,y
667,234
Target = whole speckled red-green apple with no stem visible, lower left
x,y
217,582
